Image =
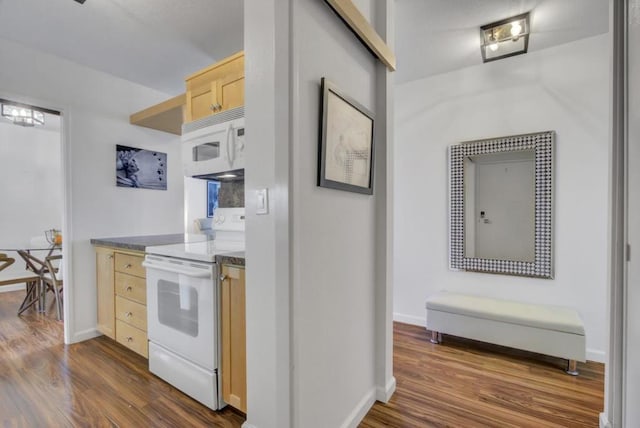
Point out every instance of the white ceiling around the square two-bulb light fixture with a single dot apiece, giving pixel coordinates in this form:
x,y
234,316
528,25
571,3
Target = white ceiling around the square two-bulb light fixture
x,y
439,36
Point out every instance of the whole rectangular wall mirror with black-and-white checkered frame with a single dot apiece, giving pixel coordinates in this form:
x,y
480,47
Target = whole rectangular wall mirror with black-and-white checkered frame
x,y
501,204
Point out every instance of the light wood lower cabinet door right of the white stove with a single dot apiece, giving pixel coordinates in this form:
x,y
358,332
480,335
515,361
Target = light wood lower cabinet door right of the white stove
x,y
234,360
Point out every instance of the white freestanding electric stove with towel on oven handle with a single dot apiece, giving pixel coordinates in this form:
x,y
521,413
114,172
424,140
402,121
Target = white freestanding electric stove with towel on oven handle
x,y
183,317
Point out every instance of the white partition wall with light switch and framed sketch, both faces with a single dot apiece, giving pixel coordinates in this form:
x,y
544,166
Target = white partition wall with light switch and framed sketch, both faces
x,y
316,345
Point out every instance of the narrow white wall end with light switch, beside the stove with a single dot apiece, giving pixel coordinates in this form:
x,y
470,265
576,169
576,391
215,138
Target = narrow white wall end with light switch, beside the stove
x,y
267,111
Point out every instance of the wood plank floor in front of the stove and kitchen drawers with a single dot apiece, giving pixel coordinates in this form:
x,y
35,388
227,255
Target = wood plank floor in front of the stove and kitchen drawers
x,y
97,383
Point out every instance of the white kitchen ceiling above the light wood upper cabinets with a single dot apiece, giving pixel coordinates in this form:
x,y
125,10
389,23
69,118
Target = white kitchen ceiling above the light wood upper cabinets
x,y
152,42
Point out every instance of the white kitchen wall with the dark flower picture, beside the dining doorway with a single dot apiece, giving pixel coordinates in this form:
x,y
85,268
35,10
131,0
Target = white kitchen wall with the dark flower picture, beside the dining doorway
x,y
96,109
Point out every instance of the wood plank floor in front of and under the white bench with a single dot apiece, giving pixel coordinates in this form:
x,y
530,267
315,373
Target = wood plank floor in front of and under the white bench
x,y
463,383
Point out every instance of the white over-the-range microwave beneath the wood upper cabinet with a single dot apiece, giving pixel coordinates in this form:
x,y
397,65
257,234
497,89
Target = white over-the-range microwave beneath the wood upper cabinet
x,y
214,144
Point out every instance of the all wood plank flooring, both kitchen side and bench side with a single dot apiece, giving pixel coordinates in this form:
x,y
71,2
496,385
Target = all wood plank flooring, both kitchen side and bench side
x,y
461,383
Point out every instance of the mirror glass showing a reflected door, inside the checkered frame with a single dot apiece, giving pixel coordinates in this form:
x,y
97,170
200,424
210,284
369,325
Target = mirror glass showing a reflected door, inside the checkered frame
x,y
499,209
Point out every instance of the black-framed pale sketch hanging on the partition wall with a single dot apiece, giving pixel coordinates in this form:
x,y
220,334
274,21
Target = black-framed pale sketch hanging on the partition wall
x,y
346,147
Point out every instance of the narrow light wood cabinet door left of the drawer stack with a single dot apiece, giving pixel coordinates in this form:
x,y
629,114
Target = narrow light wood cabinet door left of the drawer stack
x,y
105,284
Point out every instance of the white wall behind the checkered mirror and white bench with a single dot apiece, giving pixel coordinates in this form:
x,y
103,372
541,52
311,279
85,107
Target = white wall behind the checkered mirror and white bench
x,y
565,89
